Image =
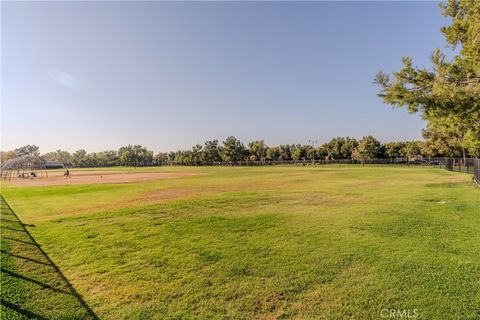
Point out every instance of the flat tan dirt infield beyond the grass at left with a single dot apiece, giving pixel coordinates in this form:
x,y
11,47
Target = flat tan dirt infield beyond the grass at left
x,y
56,178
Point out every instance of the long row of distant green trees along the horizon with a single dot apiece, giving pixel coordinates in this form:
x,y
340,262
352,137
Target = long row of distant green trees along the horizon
x,y
232,151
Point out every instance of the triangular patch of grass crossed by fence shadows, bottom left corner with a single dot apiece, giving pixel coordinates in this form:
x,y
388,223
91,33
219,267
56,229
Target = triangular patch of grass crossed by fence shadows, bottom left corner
x,y
32,285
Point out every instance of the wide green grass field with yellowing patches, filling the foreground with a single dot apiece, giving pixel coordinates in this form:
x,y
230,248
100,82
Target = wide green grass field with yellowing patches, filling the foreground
x,y
340,242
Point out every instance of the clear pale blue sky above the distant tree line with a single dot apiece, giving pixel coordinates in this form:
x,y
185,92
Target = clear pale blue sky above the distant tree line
x,y
99,75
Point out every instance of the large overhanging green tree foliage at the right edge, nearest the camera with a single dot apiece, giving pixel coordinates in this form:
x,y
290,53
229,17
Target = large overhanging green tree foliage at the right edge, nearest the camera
x,y
448,96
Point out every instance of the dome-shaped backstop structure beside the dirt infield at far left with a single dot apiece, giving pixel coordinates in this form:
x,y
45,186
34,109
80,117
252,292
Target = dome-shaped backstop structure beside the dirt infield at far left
x,y
23,167
